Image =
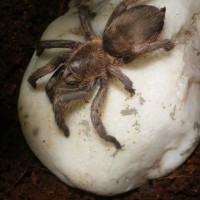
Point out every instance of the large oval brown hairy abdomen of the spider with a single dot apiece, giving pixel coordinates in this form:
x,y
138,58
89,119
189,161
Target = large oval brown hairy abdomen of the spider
x,y
138,25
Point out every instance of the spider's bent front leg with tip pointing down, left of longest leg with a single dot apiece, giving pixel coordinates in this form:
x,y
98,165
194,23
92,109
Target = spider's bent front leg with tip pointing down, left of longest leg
x,y
61,103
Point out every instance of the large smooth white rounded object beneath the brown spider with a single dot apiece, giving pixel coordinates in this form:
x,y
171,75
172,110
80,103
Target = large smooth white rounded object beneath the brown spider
x,y
159,127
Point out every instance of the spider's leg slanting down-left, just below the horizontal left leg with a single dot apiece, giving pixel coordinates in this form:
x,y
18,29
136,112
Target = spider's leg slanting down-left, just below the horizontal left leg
x,y
48,68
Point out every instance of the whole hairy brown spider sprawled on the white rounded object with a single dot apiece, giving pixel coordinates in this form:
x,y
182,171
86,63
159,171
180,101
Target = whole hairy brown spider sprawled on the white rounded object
x,y
129,32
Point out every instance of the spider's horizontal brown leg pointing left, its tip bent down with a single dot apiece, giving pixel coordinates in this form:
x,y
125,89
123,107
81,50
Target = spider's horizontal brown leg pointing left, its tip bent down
x,y
47,44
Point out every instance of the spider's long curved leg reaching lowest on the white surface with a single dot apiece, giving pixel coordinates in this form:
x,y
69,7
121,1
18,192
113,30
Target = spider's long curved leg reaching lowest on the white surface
x,y
95,114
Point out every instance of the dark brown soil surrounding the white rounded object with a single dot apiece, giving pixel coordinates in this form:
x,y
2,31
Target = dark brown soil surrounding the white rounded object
x,y
22,176
